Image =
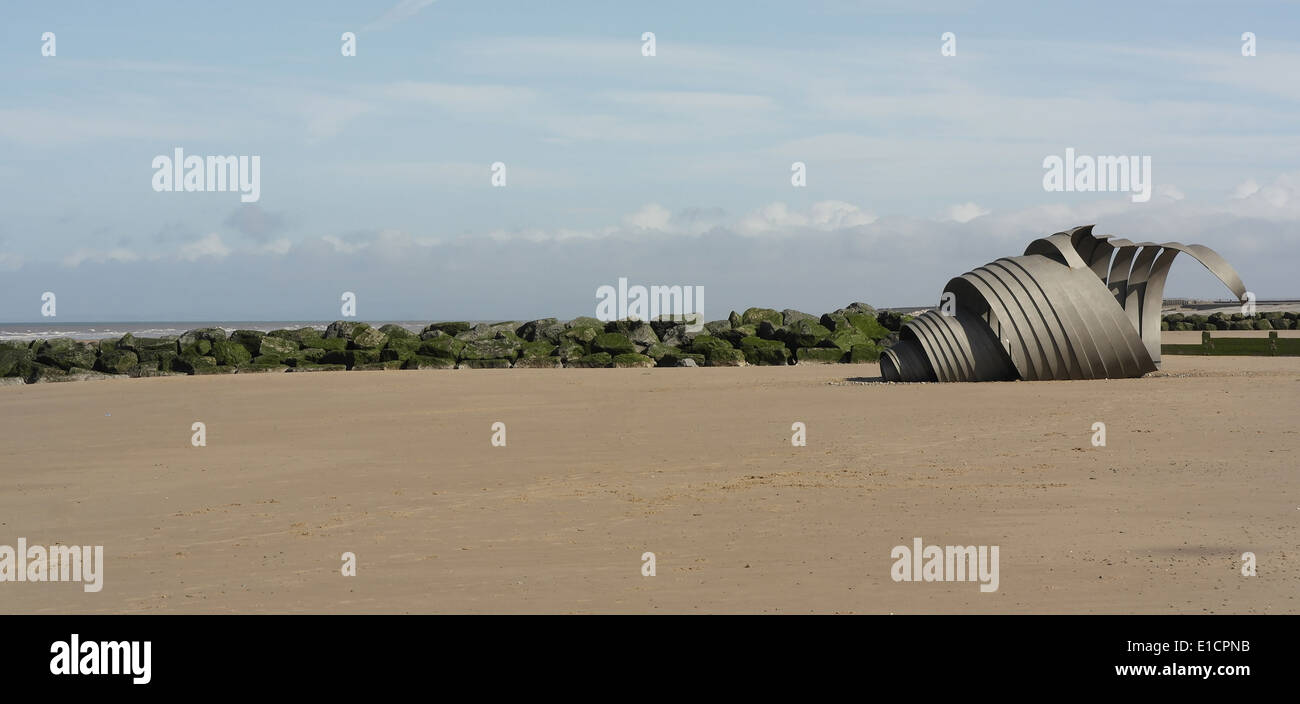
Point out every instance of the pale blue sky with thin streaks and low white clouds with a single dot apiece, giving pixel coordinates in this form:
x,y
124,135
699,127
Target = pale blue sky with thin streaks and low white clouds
x,y
376,170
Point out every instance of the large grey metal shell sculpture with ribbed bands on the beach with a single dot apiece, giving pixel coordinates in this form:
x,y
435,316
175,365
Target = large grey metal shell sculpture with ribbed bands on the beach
x,y
1076,306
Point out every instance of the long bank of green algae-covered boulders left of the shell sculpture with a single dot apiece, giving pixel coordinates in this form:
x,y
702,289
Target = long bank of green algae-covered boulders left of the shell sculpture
x,y
760,337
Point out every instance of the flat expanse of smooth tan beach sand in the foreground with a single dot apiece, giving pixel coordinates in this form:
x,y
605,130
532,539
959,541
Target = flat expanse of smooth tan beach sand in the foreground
x,y
692,464
